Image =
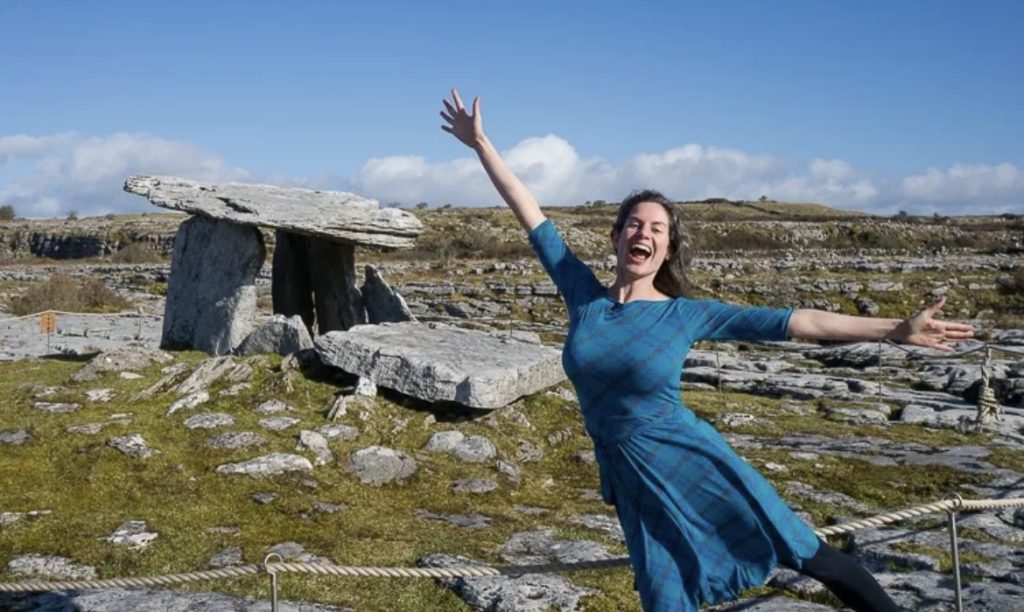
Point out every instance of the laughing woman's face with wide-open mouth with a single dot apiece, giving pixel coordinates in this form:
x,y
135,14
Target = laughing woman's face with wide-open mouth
x,y
644,244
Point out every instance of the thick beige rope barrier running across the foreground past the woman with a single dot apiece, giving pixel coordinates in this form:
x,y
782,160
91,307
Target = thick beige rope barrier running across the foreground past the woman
x,y
326,570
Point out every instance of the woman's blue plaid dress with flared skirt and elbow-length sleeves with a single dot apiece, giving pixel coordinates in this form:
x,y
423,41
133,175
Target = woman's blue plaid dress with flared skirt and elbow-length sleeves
x,y
702,526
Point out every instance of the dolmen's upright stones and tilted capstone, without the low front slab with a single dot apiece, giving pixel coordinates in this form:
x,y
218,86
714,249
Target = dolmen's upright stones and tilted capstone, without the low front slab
x,y
211,296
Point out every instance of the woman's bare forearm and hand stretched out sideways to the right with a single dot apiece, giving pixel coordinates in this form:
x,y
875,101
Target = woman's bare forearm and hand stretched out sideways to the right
x,y
922,329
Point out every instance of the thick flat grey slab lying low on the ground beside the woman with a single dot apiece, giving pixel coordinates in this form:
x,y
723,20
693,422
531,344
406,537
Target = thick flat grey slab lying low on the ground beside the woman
x,y
443,364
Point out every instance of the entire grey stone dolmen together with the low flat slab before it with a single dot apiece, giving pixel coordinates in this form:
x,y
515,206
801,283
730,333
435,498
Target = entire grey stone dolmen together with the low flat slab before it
x,y
366,331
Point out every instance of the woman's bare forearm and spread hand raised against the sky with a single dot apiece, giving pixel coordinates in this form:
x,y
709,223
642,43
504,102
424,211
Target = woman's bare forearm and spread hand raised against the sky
x,y
470,130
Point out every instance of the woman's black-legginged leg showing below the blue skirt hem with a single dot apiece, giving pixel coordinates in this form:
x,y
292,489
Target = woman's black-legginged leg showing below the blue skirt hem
x,y
848,581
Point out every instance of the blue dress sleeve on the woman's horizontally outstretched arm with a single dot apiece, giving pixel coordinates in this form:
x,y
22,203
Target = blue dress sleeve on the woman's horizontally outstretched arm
x,y
718,321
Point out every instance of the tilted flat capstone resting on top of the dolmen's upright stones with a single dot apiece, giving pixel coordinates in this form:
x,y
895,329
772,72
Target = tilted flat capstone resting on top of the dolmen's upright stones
x,y
333,215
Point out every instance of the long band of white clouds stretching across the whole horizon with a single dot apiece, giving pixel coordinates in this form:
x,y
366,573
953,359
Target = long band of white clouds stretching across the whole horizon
x,y
51,176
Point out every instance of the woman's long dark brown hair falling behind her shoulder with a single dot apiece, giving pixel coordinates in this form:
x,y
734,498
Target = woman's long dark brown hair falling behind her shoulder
x,y
671,279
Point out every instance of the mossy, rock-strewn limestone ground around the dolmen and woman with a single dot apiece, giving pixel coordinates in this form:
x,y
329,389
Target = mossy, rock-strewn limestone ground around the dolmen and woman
x,y
144,463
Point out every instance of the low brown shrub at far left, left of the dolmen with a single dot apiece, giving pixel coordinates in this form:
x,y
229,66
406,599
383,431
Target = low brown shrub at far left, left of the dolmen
x,y
64,292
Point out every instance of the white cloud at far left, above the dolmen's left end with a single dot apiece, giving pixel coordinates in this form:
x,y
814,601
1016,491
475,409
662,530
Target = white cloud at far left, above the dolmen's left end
x,y
52,176
